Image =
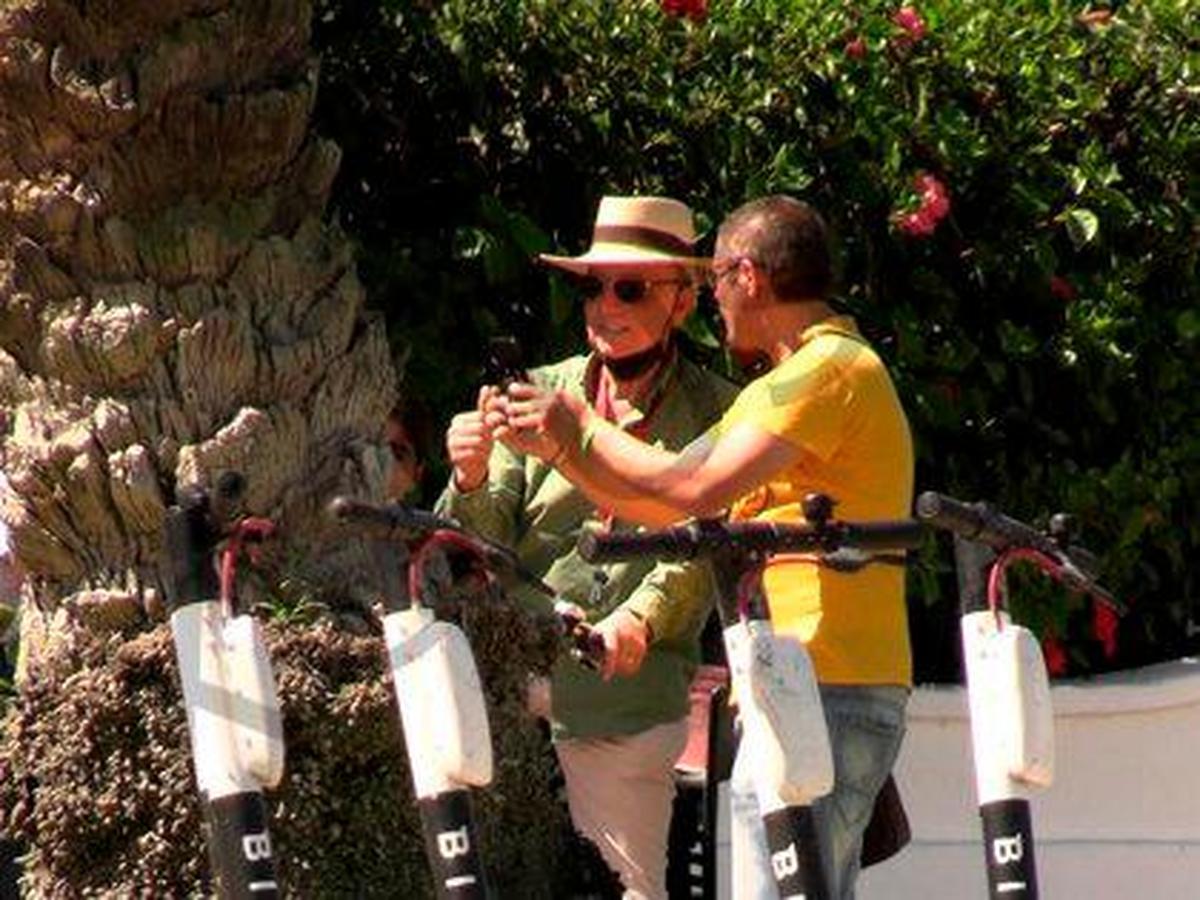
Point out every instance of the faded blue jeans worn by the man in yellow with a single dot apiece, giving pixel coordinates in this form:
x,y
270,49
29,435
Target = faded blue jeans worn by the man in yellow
x,y
867,724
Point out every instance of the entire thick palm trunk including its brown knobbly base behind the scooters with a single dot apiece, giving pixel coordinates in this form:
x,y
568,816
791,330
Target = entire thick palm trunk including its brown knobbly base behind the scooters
x,y
175,308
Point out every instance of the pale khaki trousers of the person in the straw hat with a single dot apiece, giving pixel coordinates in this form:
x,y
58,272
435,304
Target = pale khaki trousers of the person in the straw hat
x,y
620,791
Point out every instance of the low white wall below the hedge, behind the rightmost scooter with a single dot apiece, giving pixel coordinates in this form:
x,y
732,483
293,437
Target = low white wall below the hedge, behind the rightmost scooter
x,y
1123,819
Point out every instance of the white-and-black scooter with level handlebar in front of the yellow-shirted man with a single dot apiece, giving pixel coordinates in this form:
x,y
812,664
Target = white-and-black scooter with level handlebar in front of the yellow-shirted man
x,y
784,728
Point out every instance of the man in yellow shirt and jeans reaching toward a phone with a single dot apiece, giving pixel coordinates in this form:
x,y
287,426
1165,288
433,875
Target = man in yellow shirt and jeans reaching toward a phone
x,y
824,418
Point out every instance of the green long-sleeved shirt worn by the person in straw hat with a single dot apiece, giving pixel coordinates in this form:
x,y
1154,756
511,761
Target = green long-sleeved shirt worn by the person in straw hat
x,y
530,507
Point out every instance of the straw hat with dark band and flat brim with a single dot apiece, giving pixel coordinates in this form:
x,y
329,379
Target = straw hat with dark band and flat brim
x,y
637,231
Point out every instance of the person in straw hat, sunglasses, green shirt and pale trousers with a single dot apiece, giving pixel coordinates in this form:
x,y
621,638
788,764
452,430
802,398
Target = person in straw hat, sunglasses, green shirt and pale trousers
x,y
617,739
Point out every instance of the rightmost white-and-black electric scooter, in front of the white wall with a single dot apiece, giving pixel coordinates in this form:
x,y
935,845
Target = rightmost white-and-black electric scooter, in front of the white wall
x,y
1009,692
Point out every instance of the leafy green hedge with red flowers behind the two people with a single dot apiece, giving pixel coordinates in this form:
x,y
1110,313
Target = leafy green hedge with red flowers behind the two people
x,y
1043,337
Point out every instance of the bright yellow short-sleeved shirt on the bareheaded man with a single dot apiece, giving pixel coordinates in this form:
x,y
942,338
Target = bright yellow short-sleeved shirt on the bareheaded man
x,y
835,401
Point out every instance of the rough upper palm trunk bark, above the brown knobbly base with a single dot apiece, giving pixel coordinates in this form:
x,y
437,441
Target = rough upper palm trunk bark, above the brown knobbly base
x,y
172,305
